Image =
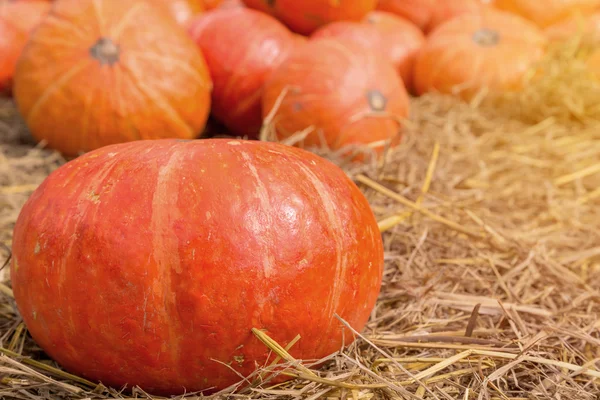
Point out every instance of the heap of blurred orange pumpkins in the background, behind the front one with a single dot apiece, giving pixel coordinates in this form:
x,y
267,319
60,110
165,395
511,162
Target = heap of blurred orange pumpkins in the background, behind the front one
x,y
93,73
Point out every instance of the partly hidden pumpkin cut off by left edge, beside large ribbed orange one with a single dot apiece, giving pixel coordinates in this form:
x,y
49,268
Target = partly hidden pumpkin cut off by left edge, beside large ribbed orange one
x,y
17,21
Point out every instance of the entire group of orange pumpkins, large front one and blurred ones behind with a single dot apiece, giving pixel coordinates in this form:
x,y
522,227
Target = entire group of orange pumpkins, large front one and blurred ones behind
x,y
158,263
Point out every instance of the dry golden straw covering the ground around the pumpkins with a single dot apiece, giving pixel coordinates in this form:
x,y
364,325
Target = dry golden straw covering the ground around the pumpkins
x,y
491,220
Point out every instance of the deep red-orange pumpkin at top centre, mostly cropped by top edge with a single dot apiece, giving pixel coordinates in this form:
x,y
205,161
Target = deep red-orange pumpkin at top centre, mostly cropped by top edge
x,y
306,16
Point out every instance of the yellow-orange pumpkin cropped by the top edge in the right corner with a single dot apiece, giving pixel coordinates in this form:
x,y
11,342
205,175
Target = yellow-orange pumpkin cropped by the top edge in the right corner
x,y
547,12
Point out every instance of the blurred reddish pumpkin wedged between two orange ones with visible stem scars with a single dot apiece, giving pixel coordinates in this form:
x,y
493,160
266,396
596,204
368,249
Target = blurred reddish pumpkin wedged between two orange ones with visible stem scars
x,y
241,47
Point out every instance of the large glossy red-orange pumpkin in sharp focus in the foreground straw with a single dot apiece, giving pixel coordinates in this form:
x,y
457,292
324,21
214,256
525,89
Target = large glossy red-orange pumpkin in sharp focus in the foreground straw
x,y
186,246
